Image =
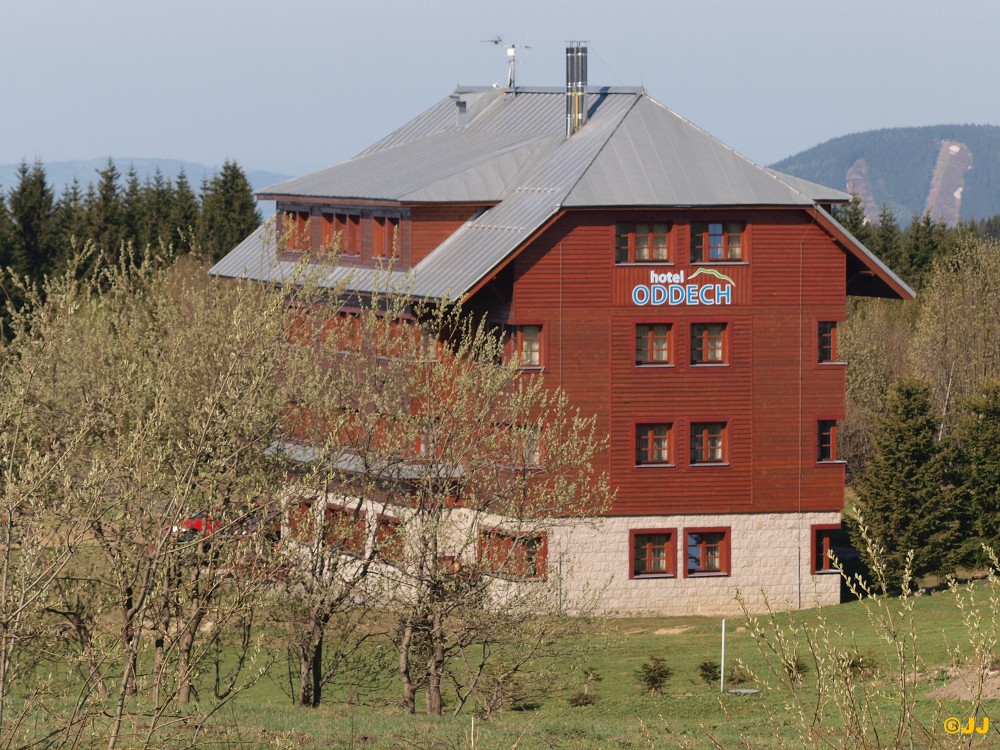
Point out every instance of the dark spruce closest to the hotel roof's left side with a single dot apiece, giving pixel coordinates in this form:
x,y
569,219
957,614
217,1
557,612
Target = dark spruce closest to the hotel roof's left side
x,y
228,211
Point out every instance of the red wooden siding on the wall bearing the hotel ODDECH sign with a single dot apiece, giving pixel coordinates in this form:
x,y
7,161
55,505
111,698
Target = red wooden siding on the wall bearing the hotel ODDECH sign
x,y
770,393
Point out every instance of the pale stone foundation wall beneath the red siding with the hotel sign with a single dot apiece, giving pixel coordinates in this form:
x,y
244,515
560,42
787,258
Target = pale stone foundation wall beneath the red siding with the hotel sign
x,y
770,554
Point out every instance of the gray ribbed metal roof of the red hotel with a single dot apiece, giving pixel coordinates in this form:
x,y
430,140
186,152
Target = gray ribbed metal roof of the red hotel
x,y
509,149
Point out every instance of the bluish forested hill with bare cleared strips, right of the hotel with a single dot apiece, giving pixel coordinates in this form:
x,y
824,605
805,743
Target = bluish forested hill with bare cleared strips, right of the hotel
x,y
953,171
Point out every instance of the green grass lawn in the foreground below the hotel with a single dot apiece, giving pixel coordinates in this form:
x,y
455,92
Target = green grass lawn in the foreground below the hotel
x,y
689,713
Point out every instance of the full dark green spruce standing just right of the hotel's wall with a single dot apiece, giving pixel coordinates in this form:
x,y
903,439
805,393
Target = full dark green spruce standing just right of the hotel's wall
x,y
901,494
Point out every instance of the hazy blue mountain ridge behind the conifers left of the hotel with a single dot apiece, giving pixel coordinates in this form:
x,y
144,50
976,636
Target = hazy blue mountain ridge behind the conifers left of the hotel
x,y
60,174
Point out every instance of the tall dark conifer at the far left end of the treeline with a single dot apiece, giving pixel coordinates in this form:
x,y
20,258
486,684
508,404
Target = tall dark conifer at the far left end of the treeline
x,y
31,209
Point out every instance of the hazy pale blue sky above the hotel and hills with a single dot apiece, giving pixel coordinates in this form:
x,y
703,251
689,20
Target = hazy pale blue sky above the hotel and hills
x,y
297,86
